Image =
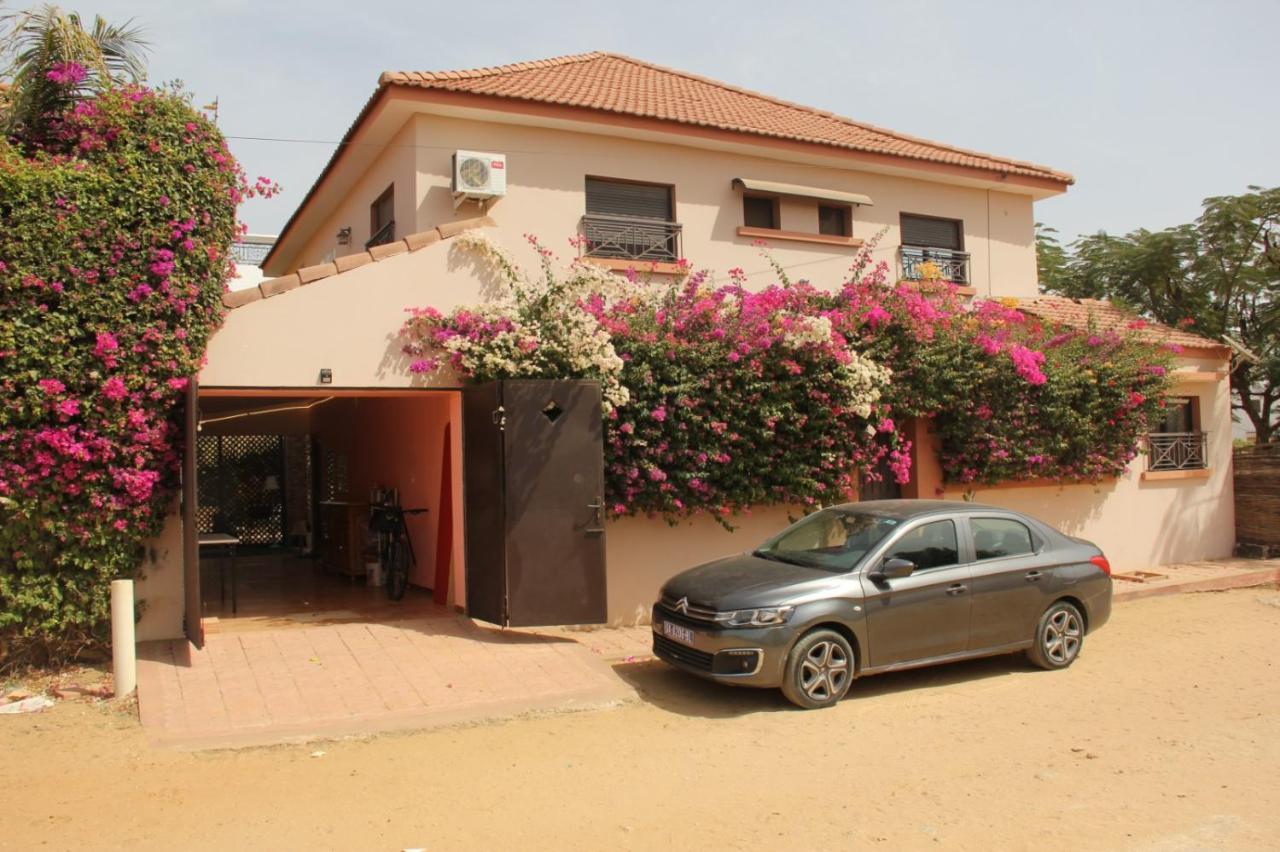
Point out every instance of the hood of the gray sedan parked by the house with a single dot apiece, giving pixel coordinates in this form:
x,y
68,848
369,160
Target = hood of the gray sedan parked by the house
x,y
746,581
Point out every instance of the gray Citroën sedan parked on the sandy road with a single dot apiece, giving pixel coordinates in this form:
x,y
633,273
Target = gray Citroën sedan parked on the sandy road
x,y
880,587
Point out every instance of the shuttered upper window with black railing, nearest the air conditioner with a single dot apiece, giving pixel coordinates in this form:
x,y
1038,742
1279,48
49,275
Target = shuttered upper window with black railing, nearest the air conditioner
x,y
630,221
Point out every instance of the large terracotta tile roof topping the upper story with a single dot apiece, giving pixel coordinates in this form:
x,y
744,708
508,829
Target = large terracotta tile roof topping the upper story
x,y
614,84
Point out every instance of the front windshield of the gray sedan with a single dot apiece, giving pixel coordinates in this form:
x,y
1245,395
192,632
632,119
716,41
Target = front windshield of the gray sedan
x,y
833,539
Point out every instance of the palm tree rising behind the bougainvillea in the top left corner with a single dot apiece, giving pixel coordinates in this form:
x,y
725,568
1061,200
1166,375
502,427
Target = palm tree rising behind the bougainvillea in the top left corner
x,y
49,59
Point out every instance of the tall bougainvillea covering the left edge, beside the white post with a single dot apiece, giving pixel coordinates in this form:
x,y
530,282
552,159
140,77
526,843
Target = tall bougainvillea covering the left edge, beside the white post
x,y
115,254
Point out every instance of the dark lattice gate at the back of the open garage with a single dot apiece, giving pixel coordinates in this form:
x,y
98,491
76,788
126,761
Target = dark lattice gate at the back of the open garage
x,y
241,485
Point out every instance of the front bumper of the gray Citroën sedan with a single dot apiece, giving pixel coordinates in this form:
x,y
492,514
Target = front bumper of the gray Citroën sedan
x,y
747,657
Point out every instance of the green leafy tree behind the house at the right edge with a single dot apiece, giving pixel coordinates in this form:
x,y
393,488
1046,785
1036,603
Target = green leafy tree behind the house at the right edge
x,y
1218,277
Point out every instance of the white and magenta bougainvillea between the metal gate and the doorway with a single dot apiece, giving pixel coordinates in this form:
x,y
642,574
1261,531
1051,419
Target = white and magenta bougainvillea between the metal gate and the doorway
x,y
717,398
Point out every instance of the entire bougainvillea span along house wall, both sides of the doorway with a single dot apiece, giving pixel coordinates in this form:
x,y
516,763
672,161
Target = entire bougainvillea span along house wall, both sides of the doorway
x,y
721,398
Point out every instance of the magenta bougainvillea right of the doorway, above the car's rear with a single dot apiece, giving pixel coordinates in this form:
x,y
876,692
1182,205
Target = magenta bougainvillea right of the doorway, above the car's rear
x,y
1021,400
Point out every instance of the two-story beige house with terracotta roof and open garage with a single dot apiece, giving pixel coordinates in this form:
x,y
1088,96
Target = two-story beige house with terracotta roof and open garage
x,y
639,167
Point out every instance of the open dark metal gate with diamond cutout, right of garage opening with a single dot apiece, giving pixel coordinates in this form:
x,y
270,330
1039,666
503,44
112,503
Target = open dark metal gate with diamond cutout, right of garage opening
x,y
534,493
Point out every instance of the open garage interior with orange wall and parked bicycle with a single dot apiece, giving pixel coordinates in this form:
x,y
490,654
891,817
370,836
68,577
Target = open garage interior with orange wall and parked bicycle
x,y
286,488
